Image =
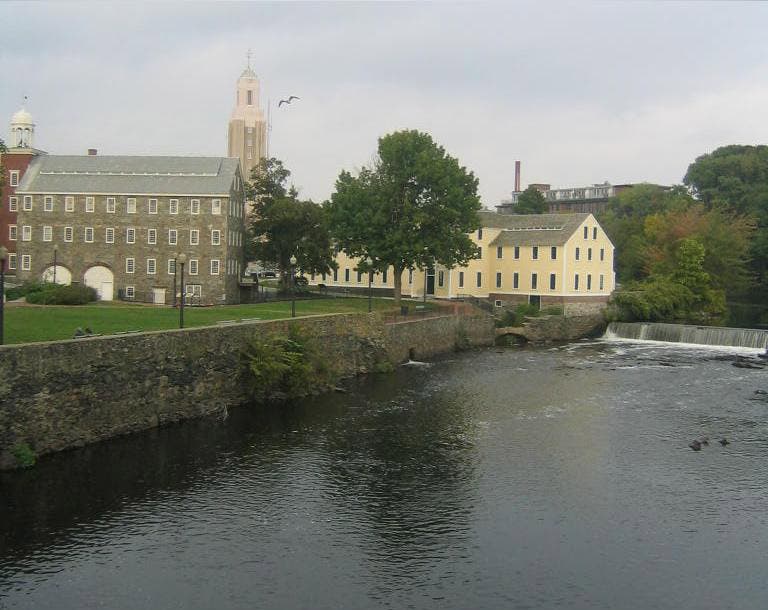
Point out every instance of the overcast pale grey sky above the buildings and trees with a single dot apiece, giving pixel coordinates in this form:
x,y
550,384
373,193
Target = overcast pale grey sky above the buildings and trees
x,y
579,92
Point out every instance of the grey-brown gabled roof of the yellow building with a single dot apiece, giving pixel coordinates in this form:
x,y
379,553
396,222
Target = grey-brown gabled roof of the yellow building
x,y
532,229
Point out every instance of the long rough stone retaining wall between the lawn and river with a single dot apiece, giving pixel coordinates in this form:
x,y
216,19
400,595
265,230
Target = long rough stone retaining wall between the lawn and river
x,y
69,393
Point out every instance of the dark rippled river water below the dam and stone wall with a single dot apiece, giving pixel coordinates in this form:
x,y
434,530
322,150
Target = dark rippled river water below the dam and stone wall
x,y
517,478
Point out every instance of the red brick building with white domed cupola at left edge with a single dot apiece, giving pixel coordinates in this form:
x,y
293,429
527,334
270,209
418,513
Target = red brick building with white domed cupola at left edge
x,y
15,162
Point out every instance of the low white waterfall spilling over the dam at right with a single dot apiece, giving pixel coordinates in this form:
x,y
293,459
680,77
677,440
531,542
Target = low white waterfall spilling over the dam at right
x,y
681,333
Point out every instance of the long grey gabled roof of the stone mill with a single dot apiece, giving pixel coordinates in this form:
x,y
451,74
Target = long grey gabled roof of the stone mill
x,y
115,175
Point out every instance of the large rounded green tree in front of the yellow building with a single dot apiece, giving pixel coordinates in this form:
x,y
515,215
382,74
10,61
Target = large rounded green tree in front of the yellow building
x,y
413,208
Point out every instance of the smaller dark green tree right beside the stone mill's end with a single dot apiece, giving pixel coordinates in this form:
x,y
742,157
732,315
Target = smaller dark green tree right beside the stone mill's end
x,y
282,226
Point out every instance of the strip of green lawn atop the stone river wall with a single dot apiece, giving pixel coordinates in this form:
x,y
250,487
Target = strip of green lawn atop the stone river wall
x,y
25,324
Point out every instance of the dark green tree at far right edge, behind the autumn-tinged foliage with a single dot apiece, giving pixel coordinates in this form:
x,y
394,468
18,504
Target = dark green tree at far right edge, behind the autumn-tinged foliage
x,y
735,178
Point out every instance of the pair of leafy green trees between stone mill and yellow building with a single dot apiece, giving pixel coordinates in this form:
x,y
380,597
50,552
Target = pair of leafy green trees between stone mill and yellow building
x,y
412,208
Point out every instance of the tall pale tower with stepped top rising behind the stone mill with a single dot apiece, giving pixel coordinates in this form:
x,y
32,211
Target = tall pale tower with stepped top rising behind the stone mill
x,y
247,127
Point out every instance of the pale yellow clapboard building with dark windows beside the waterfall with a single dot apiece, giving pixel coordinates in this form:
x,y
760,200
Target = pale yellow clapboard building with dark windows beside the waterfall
x,y
544,259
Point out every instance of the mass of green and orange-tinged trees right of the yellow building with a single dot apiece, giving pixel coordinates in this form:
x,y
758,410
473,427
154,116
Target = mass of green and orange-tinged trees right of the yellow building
x,y
683,251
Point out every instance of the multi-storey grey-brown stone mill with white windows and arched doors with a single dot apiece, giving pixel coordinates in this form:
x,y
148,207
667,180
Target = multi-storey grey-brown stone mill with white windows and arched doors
x,y
118,224
